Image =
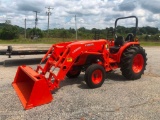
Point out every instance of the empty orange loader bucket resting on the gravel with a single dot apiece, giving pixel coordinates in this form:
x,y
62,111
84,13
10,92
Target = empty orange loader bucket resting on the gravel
x,y
31,88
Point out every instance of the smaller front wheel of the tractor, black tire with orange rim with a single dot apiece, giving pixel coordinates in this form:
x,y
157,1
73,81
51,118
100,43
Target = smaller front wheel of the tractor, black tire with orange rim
x,y
94,76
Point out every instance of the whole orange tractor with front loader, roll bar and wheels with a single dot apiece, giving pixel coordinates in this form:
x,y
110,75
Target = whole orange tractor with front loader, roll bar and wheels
x,y
94,57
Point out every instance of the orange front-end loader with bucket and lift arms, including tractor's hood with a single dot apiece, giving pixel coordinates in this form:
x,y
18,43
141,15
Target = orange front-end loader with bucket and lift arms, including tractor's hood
x,y
34,86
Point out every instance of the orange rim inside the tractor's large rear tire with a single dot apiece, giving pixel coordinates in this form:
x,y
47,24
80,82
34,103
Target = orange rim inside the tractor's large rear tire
x,y
138,63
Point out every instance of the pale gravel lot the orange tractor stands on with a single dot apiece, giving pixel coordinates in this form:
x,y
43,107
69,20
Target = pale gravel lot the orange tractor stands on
x,y
117,99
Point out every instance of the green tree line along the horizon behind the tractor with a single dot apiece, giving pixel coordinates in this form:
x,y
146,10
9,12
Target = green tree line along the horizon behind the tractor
x,y
9,32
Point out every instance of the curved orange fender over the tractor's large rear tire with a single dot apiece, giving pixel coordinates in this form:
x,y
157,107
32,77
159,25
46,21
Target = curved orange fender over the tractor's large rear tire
x,y
123,48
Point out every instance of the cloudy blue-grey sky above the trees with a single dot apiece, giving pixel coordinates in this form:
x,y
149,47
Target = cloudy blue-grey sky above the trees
x,y
90,13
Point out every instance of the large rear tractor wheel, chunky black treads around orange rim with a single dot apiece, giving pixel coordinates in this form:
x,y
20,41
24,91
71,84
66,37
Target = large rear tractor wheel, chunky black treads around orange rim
x,y
133,62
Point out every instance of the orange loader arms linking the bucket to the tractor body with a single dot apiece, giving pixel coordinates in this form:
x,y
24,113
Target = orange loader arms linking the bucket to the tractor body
x,y
63,58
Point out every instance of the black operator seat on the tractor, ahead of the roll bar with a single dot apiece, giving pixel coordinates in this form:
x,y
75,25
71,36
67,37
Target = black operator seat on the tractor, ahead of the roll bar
x,y
119,41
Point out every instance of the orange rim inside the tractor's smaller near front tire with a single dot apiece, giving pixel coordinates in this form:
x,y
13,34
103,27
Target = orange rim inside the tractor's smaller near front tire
x,y
97,76
